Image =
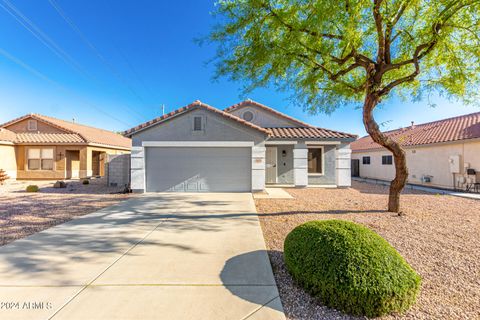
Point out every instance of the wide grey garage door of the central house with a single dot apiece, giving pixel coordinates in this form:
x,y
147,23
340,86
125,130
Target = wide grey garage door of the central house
x,y
190,169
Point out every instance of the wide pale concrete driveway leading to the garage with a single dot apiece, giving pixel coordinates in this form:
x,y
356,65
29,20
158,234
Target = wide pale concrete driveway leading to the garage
x,y
158,256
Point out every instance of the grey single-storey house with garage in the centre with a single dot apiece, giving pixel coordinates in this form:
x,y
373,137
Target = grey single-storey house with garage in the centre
x,y
243,148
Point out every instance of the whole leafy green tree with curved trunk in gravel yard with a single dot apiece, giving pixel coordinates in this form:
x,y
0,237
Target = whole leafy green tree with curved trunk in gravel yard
x,y
340,52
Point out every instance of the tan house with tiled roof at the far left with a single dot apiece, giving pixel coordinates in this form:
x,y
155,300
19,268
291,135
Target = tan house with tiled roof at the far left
x,y
41,147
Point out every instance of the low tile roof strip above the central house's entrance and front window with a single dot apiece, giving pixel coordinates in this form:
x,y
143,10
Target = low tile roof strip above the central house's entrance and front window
x,y
308,133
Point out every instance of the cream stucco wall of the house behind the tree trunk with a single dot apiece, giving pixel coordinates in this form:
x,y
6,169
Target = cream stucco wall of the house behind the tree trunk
x,y
425,160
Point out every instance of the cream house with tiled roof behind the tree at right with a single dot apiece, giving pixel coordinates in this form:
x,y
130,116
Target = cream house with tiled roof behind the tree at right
x,y
440,153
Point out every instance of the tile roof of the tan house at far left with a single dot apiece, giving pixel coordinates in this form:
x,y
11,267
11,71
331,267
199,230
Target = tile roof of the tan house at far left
x,y
75,133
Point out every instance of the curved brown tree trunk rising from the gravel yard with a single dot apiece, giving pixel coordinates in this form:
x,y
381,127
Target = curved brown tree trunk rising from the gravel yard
x,y
401,170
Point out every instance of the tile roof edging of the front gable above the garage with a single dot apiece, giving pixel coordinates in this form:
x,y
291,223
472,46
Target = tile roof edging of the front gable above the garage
x,y
194,105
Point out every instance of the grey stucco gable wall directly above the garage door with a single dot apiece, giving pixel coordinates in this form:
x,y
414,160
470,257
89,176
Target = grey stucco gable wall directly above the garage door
x,y
217,128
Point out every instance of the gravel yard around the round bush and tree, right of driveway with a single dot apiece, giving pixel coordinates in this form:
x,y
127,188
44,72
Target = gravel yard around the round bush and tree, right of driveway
x,y
437,234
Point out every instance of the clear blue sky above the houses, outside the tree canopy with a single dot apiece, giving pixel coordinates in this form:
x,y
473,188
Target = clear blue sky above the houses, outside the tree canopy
x,y
135,56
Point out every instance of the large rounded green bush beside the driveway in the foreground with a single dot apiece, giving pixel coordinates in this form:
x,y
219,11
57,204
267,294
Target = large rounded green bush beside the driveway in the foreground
x,y
350,268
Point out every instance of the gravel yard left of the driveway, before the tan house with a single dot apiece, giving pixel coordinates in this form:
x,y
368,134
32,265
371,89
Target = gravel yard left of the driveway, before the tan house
x,y
23,213
